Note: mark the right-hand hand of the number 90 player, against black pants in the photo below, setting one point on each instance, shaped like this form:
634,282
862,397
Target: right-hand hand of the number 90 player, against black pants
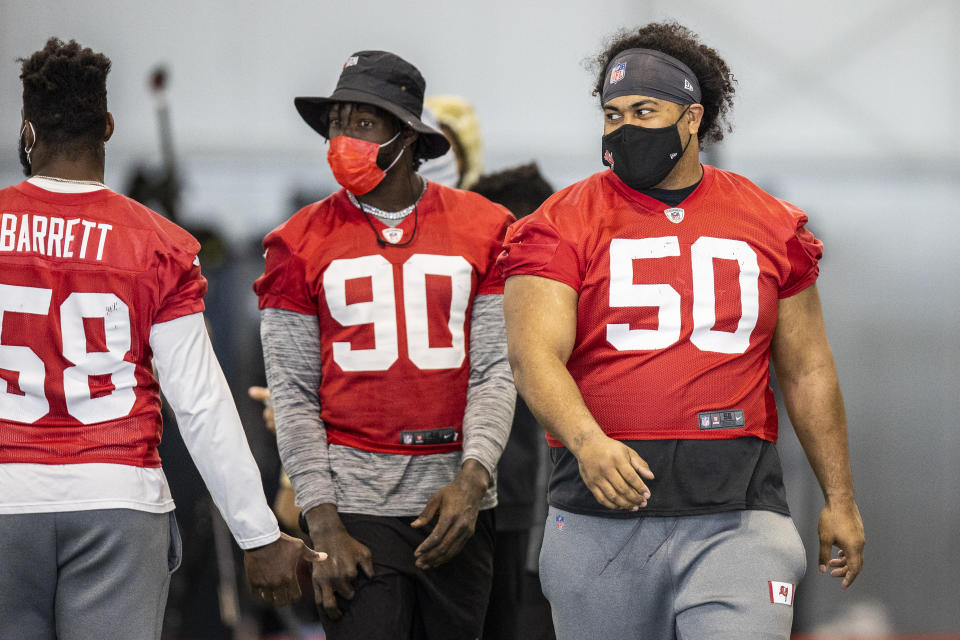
455,509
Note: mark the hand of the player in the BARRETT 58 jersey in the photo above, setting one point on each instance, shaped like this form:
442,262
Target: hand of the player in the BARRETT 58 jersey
272,569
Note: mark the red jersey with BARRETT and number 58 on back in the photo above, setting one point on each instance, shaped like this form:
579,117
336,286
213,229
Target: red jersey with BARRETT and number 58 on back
83,278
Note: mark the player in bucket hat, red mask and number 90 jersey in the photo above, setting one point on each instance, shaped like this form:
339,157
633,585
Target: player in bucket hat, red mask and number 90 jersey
385,348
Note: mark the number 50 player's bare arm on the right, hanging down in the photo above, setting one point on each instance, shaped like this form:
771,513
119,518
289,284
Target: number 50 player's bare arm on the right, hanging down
811,391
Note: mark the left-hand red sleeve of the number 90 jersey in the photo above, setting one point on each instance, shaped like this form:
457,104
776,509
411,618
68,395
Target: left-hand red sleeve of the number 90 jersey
283,284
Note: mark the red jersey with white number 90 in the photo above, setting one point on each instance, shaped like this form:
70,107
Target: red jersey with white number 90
394,318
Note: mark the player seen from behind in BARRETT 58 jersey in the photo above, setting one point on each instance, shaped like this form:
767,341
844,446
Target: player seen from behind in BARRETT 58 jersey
95,291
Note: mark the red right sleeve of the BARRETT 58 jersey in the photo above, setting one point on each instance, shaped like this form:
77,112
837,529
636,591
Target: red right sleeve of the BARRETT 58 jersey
181,284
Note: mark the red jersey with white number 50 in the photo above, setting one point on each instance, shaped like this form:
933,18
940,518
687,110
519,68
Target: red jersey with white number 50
677,305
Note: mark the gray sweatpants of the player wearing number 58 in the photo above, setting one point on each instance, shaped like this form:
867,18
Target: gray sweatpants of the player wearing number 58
80,575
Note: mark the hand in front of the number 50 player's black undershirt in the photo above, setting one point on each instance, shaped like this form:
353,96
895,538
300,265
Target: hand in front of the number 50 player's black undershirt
613,472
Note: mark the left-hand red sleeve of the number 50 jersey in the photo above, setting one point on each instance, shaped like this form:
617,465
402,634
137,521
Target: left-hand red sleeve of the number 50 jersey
534,246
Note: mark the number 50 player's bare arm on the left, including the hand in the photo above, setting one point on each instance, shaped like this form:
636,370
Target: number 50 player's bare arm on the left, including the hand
541,317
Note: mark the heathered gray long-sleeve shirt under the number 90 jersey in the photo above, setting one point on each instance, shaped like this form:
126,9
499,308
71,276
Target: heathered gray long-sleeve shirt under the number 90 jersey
367,482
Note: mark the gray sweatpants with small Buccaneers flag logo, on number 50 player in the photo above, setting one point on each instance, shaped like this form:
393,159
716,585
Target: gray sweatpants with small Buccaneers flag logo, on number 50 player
719,576
